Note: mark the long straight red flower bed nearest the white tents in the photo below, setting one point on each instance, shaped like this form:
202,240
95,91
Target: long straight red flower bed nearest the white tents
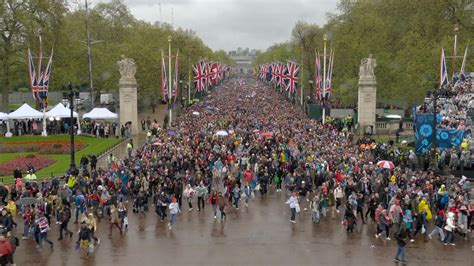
40,146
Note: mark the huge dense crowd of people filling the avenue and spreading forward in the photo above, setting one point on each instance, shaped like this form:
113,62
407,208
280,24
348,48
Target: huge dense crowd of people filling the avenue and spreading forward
237,145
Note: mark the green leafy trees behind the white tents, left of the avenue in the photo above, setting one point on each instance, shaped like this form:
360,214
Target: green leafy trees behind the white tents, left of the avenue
114,32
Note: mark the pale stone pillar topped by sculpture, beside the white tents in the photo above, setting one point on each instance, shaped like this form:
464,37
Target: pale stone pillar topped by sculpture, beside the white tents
128,95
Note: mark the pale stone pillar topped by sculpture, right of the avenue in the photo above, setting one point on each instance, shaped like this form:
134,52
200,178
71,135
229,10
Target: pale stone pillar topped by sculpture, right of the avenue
367,96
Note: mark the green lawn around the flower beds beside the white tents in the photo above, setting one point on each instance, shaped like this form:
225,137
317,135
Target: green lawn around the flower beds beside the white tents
94,146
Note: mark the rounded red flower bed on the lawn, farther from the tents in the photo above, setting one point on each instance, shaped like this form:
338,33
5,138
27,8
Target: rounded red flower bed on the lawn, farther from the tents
37,161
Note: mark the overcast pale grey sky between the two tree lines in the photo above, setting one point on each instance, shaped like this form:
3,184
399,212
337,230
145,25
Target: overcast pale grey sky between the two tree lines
228,24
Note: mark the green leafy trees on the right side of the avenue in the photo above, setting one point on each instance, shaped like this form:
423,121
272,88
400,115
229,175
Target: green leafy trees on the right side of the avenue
404,36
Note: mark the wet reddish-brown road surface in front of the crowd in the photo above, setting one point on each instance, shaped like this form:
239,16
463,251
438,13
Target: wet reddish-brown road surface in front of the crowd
258,235
